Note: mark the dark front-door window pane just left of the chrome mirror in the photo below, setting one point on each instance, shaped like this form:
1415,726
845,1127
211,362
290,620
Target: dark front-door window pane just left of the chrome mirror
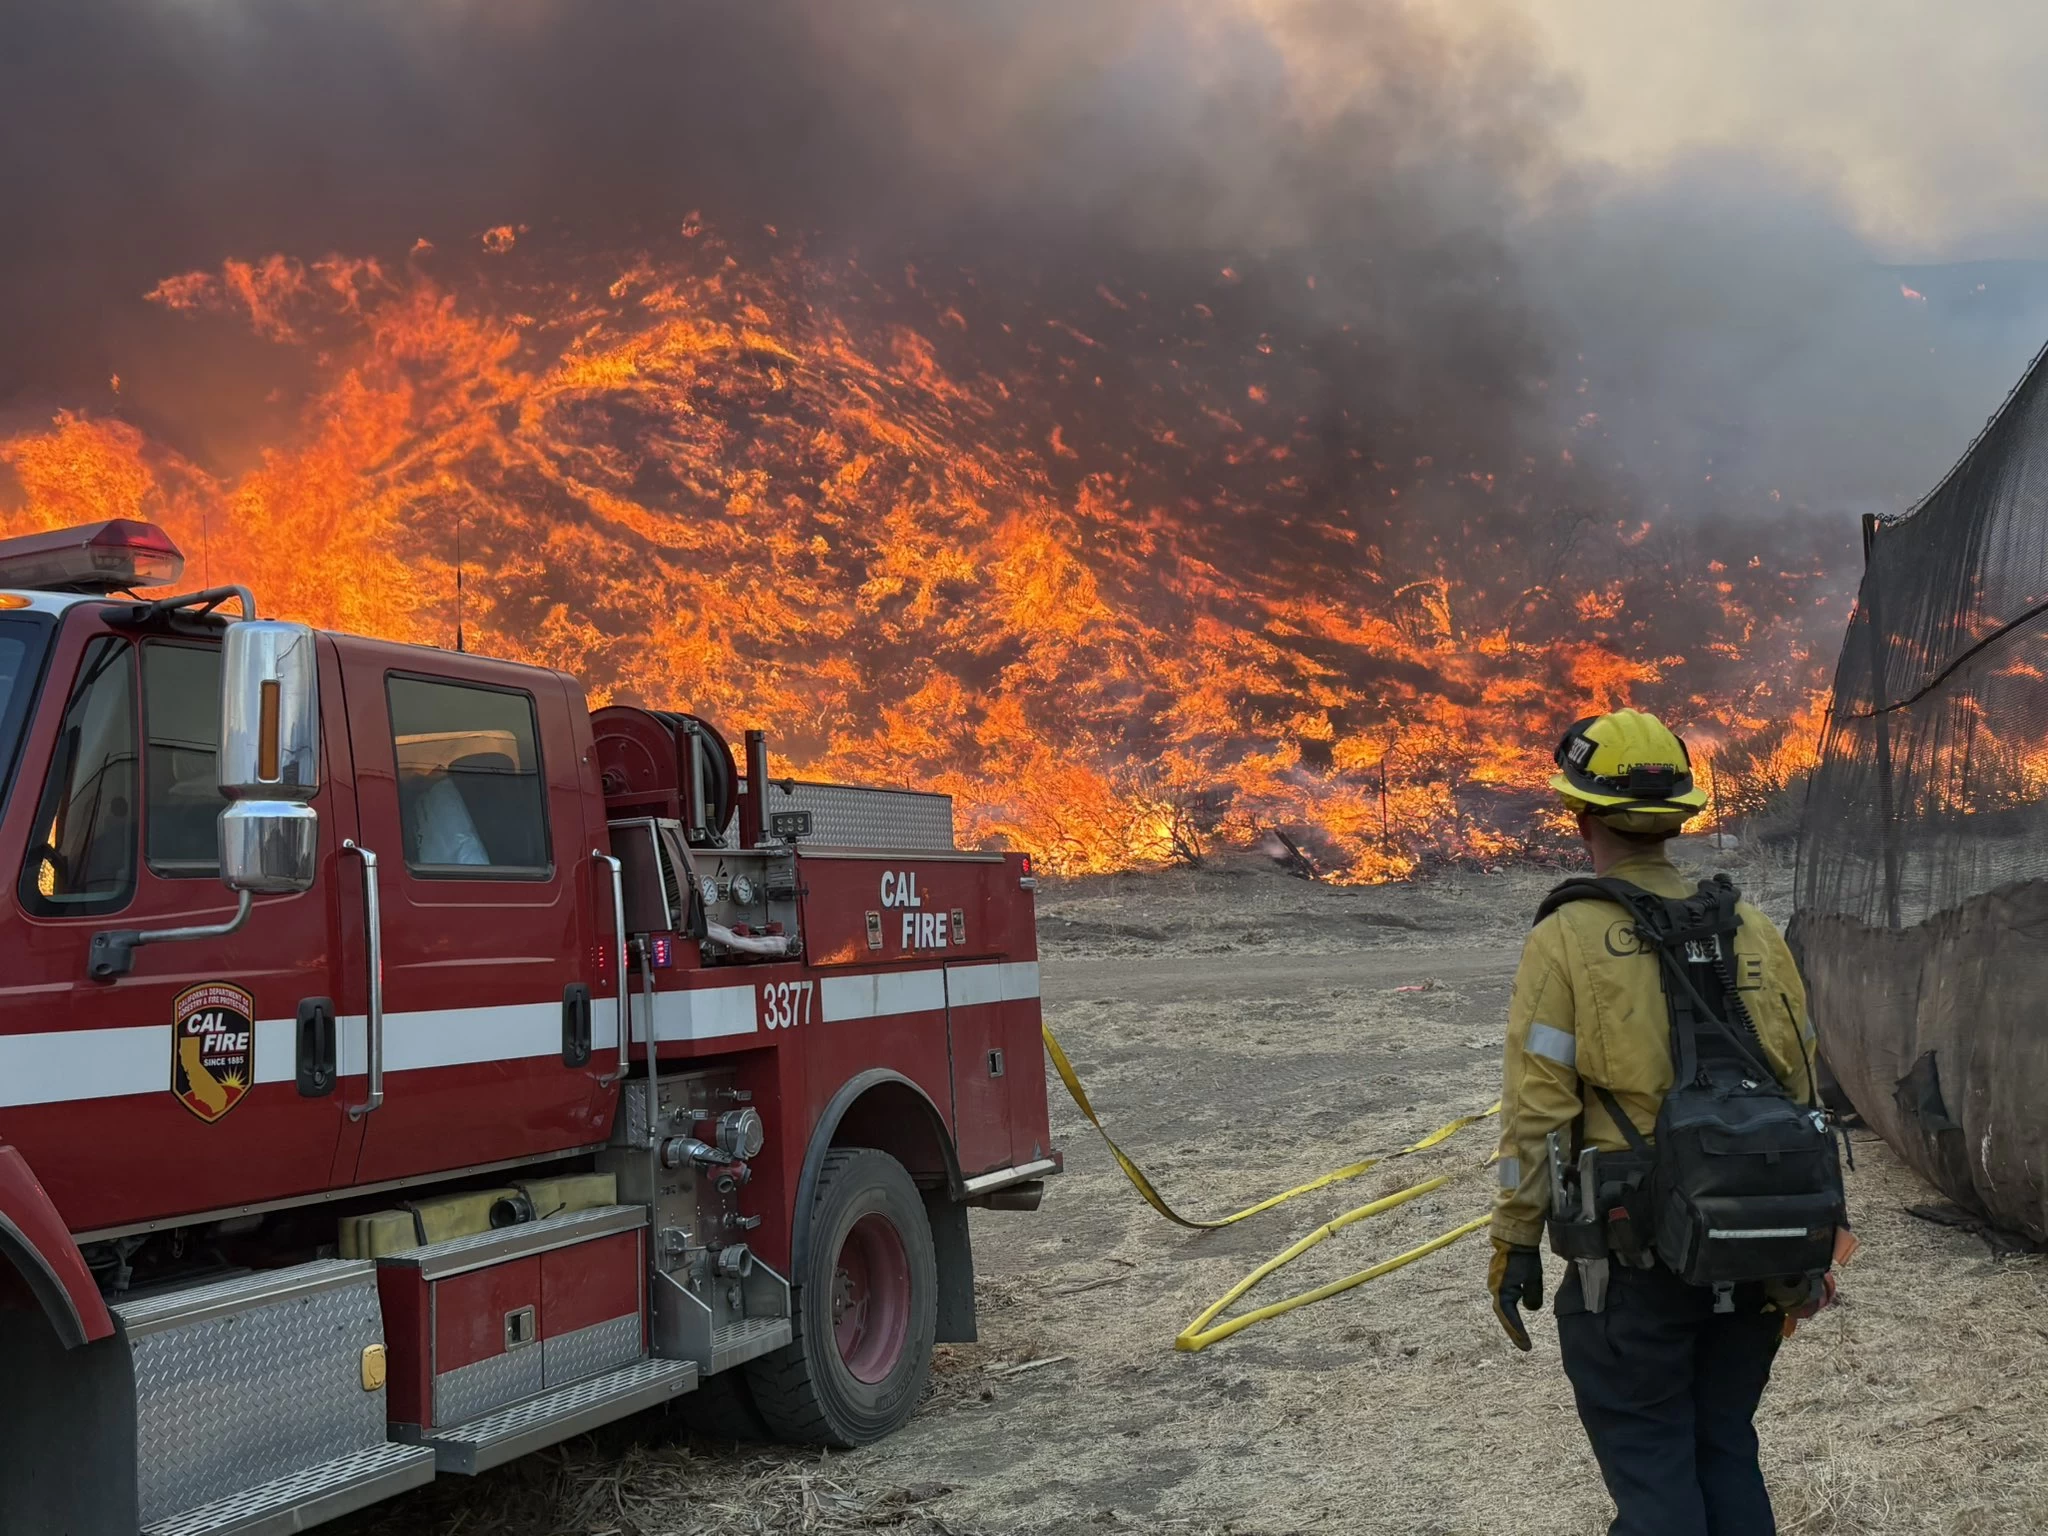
181,716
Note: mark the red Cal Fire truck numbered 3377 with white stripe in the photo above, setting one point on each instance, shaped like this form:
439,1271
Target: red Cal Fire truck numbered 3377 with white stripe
536,1068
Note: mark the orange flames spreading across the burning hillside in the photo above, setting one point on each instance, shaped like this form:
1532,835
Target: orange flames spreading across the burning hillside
925,542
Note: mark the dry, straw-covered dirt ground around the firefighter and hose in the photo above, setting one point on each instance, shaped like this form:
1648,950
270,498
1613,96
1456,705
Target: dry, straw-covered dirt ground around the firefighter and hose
1242,1031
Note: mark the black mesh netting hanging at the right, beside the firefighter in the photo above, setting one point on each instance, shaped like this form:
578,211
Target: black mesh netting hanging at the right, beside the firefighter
1924,863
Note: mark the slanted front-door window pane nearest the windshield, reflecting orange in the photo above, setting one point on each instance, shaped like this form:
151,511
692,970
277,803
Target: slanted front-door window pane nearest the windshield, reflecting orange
83,843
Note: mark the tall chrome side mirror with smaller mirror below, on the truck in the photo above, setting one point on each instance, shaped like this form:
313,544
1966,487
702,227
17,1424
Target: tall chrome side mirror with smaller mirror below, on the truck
269,759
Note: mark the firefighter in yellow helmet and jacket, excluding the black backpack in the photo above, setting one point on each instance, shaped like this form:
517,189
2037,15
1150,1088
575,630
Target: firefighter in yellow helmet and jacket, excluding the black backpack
1666,1385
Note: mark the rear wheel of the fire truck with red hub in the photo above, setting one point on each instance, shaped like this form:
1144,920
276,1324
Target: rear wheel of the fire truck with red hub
863,1314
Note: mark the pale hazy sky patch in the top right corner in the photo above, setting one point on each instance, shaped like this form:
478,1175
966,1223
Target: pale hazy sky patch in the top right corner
1924,120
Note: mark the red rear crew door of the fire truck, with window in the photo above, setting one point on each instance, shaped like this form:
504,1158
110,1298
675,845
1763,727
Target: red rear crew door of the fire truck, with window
472,794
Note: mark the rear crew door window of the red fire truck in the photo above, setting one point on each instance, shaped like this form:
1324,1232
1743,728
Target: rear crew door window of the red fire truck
470,790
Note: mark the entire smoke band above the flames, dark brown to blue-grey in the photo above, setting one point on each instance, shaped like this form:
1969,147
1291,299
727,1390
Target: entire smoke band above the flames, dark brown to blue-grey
1723,321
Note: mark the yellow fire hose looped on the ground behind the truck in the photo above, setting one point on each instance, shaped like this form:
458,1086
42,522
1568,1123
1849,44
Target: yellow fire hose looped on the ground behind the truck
1199,1334
